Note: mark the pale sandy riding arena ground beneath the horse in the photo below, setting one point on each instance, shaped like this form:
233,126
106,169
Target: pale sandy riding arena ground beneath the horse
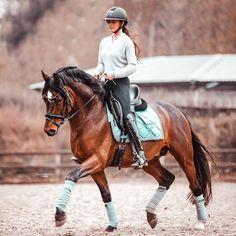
29,210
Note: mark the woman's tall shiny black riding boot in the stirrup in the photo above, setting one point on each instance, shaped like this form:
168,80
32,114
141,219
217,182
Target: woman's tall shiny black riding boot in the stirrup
132,131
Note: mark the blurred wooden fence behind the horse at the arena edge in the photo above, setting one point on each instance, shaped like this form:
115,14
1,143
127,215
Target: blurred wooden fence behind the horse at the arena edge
50,166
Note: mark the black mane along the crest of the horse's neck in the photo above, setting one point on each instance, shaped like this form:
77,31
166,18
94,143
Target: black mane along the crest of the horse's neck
64,74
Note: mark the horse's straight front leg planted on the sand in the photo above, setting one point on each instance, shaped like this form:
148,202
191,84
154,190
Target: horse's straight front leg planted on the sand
101,181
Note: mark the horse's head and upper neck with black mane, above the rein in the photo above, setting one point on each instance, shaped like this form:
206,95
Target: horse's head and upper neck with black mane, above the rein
66,93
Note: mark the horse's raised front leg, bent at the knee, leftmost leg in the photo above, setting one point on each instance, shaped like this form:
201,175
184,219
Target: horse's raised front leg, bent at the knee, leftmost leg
88,167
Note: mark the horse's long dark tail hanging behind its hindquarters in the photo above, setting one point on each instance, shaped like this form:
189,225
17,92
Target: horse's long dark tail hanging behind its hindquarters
202,168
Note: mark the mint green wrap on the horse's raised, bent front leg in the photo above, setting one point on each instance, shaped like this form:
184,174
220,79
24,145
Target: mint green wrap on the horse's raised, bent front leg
65,196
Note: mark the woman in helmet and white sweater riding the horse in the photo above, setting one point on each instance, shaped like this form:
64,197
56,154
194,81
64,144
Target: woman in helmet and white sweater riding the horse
117,59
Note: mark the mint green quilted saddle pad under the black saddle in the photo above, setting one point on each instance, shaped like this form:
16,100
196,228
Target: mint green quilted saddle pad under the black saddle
148,124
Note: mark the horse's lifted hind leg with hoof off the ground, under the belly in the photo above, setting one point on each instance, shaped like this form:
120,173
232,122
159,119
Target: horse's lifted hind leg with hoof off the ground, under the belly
165,179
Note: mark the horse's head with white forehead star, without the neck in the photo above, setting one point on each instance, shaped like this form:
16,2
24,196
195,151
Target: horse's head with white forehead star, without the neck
59,103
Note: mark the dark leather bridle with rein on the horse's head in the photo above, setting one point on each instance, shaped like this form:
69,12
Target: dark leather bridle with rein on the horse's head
64,117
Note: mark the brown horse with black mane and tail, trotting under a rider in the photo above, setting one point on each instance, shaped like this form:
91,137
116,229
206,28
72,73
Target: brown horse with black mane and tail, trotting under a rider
72,94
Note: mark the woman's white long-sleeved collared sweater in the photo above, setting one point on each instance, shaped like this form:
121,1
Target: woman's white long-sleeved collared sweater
117,56
